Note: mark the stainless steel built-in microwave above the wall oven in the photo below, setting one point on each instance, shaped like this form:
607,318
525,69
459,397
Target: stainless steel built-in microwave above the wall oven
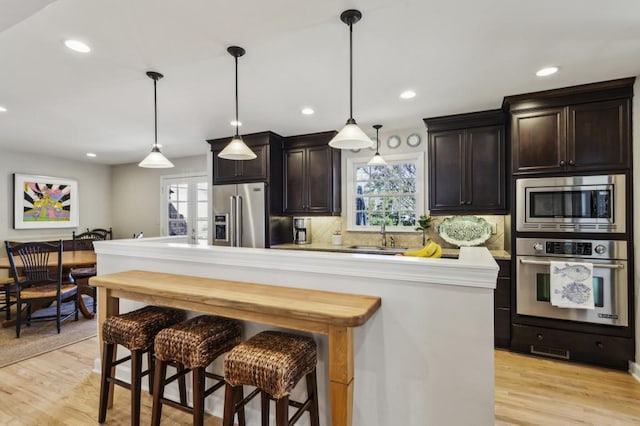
571,204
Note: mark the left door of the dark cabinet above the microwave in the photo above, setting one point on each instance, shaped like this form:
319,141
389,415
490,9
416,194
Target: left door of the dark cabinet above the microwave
538,140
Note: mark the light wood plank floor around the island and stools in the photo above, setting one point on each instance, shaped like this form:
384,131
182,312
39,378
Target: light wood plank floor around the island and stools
59,388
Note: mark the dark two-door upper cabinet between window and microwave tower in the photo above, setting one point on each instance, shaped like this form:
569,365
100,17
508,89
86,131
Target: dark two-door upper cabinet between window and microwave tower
466,161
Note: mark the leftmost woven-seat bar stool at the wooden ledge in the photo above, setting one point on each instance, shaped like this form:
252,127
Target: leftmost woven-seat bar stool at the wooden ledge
135,331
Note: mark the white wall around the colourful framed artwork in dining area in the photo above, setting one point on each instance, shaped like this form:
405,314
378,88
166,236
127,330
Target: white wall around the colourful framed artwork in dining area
94,189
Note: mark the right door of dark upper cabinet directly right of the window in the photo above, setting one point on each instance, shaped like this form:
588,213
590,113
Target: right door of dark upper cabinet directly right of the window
485,172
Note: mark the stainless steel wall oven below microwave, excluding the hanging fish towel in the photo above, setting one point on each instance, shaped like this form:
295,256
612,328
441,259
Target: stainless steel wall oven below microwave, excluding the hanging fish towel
610,289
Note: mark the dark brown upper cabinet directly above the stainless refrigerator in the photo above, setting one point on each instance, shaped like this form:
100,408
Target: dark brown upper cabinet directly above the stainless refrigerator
266,167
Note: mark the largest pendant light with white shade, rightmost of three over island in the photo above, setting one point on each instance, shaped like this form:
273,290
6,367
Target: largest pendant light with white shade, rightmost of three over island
351,136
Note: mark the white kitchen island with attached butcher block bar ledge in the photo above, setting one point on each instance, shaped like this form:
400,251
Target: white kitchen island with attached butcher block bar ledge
400,340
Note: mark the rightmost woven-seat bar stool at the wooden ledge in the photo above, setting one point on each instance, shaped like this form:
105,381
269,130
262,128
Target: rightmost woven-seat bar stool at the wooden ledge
273,362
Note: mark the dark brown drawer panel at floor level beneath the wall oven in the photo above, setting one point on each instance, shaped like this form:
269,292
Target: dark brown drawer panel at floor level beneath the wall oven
590,348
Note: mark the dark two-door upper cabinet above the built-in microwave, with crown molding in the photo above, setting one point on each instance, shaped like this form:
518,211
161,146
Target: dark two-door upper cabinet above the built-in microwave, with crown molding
575,129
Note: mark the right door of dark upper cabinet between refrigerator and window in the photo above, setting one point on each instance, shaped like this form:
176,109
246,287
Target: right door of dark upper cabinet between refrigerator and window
319,179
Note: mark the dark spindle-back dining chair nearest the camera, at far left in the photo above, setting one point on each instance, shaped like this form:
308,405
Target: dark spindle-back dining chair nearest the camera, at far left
40,283
